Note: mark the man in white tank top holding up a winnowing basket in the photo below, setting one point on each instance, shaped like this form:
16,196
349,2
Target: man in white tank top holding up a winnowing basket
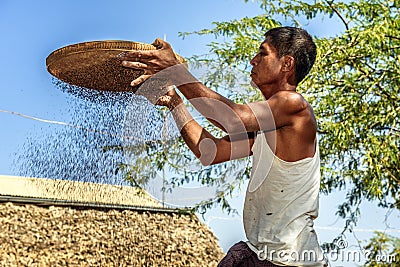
279,132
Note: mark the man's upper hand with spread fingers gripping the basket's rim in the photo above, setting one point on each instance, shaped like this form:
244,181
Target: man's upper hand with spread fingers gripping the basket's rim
151,61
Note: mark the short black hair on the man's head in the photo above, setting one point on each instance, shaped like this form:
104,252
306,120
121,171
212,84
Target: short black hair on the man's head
297,43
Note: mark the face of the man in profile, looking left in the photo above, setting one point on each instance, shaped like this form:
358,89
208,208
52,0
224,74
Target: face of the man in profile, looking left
266,65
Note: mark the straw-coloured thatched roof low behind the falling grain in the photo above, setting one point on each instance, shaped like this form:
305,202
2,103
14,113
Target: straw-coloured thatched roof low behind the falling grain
44,233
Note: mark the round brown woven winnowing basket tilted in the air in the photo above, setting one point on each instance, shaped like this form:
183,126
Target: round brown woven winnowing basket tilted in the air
96,65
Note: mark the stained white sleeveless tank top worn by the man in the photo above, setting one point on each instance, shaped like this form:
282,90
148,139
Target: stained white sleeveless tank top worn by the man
280,206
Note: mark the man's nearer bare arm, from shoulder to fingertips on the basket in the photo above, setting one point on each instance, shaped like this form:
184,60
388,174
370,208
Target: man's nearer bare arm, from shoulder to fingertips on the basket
221,111
